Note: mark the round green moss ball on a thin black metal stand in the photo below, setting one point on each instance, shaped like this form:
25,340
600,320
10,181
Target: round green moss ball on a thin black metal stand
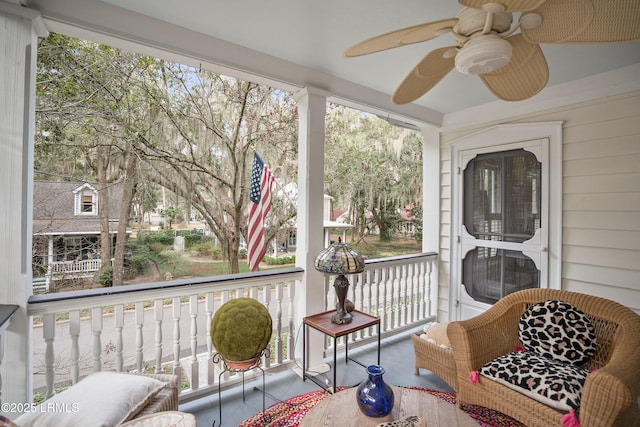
241,329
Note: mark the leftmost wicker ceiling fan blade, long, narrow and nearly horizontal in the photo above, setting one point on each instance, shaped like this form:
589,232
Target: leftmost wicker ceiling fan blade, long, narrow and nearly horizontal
405,36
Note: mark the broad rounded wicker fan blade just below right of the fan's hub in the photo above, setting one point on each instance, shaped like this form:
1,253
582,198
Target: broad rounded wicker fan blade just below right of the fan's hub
525,75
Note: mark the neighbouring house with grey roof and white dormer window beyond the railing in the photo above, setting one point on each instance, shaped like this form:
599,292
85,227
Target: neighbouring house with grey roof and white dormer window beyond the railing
66,230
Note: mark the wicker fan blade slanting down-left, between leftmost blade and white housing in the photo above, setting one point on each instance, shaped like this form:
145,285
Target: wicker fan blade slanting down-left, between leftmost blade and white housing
424,76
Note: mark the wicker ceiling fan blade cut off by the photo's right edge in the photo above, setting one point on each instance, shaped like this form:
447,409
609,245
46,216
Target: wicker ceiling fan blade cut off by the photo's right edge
586,21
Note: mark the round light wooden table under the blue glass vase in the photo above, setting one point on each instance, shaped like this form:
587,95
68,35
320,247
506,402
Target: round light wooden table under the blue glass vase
341,409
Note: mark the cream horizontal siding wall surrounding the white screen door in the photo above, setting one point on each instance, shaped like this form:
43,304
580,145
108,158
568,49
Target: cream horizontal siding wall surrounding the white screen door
601,198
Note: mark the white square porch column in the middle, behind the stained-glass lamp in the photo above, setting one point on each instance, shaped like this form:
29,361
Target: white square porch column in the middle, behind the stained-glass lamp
310,295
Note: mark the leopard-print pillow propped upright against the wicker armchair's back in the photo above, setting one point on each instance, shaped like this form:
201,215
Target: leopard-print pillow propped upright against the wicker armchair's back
558,330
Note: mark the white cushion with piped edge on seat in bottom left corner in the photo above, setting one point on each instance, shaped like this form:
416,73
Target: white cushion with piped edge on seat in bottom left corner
102,399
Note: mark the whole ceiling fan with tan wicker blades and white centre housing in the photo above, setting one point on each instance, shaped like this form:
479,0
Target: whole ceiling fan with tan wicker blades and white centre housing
509,62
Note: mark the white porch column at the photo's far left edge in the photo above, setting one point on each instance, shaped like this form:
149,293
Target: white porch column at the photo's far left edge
19,29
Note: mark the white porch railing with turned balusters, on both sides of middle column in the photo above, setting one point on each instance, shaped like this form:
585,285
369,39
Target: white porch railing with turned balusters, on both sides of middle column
126,328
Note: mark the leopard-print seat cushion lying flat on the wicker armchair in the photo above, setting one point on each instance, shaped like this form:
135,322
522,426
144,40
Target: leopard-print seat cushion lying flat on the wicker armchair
554,383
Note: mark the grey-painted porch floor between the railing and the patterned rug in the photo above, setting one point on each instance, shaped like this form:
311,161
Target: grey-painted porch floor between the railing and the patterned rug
396,356
